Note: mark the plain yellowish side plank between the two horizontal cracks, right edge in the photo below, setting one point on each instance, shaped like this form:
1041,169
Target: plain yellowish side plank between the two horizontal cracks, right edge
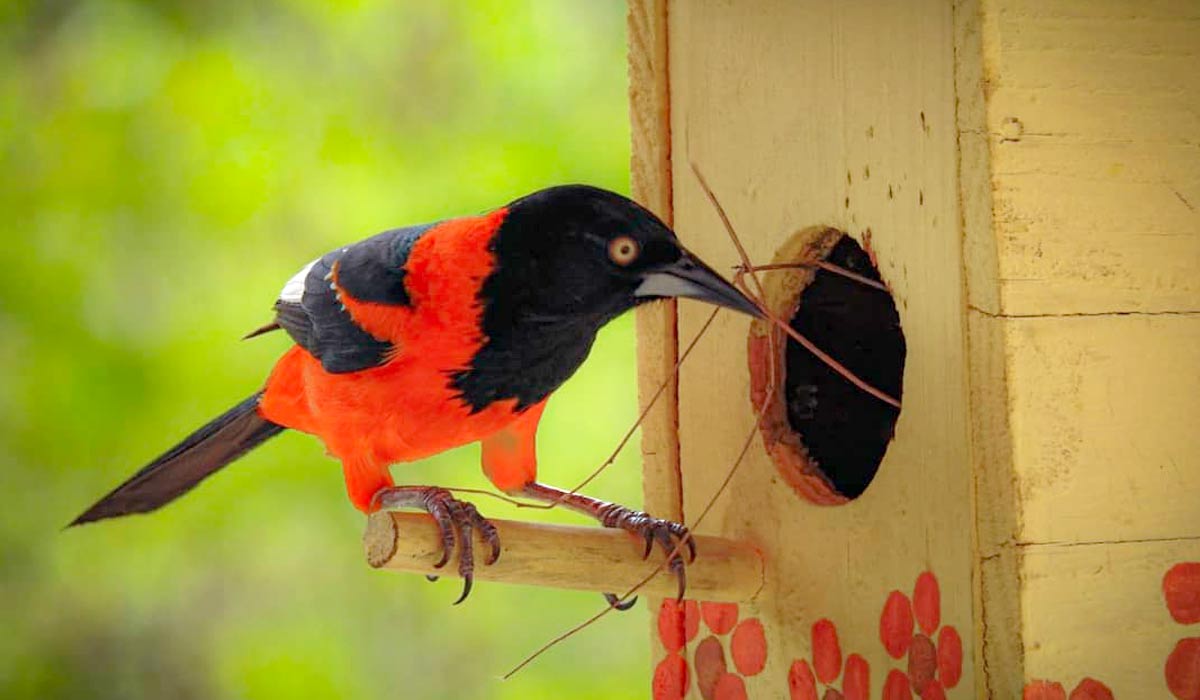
1105,433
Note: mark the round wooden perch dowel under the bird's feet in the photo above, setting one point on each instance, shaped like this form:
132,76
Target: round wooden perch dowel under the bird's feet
586,559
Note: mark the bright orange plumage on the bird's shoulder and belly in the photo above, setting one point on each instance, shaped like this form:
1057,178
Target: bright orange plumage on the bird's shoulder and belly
404,410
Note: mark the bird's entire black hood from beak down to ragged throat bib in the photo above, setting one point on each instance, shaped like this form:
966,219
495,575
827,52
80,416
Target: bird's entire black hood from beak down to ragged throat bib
569,260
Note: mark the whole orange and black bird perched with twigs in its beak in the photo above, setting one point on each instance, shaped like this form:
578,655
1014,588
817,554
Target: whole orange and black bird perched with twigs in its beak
428,338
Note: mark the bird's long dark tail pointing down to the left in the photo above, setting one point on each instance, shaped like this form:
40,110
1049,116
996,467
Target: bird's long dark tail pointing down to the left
224,440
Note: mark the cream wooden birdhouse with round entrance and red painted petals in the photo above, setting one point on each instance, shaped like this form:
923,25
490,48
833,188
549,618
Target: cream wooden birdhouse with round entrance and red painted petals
1022,181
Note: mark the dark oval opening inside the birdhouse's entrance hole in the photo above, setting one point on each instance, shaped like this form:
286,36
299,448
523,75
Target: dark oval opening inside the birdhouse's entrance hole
844,429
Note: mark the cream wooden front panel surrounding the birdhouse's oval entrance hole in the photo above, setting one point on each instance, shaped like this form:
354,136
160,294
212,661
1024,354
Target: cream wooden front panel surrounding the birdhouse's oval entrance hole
830,113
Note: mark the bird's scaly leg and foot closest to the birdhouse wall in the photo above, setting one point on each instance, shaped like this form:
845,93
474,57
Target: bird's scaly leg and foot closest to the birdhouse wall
652,530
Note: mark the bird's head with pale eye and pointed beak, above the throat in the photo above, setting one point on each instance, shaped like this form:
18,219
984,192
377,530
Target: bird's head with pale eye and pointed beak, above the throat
587,254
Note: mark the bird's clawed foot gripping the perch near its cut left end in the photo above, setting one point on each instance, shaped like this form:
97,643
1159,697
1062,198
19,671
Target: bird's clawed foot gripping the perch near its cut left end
457,522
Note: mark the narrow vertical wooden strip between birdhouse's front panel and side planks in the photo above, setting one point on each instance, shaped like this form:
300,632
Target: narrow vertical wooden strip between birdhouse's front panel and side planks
999,656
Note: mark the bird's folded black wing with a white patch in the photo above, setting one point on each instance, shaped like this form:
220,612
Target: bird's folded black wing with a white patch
310,309
